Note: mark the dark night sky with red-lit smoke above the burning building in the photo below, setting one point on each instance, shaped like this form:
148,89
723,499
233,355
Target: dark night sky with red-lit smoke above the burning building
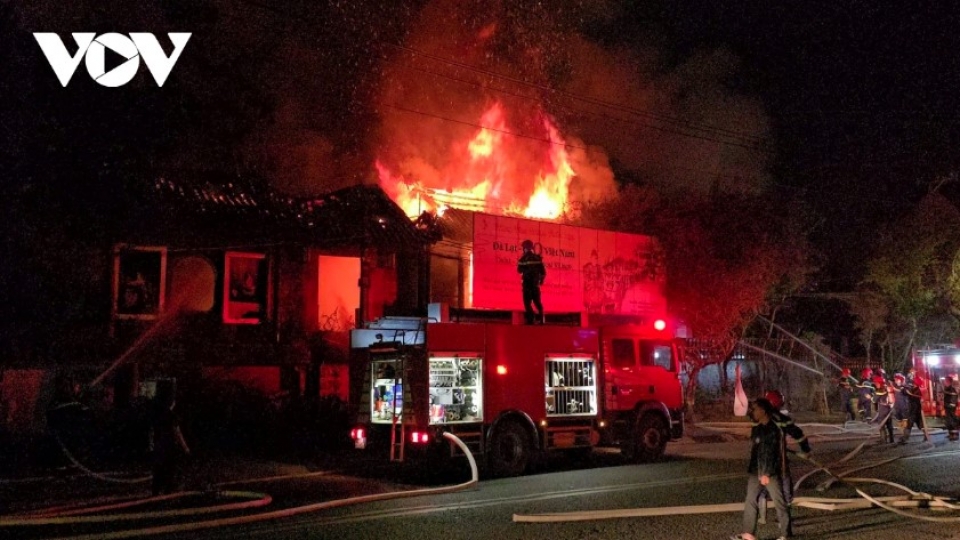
849,106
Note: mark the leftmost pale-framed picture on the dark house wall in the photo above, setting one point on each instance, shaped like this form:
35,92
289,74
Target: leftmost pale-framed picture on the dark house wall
139,281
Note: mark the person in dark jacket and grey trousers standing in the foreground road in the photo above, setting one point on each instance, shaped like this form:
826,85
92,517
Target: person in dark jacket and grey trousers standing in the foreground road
768,466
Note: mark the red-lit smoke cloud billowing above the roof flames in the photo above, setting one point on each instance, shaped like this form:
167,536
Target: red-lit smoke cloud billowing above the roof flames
407,87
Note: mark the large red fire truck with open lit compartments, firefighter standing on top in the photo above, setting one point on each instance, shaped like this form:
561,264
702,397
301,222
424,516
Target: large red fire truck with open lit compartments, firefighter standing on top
512,392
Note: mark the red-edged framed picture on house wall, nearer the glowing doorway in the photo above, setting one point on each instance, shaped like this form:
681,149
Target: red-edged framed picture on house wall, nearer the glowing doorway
244,287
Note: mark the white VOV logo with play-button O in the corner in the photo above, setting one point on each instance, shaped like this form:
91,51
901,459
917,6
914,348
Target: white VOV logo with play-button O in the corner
93,49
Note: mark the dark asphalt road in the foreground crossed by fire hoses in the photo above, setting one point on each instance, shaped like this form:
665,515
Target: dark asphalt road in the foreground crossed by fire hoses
692,475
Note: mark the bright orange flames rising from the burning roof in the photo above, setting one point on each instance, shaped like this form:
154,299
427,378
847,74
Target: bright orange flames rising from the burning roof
495,171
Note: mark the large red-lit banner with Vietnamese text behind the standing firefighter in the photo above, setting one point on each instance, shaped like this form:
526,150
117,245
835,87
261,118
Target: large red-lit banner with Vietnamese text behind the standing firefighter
587,269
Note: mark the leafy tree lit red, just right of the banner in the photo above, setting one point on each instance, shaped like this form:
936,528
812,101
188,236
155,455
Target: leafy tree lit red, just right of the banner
729,257
